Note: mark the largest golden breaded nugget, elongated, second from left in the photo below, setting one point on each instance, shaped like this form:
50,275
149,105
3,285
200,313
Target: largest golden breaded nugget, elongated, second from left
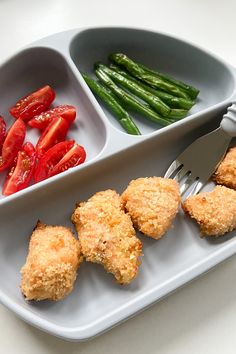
107,235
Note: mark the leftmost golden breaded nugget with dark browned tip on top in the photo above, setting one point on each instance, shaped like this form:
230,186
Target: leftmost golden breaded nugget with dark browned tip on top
51,265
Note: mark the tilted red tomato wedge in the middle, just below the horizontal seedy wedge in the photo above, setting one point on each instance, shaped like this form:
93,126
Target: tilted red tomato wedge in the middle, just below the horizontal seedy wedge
54,133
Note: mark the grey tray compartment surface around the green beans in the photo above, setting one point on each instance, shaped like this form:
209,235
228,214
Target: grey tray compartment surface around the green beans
181,60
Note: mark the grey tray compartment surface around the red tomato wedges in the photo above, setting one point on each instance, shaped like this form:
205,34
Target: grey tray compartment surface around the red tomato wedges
36,67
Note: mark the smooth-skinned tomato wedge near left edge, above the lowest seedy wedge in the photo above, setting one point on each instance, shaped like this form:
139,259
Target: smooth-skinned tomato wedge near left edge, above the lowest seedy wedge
12,143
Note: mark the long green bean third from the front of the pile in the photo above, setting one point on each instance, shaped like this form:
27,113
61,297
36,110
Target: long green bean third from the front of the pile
158,105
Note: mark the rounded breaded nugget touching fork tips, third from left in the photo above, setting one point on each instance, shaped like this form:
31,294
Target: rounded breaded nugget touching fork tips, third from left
152,203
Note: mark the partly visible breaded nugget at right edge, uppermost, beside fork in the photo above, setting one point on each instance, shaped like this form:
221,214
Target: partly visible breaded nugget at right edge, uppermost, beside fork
226,172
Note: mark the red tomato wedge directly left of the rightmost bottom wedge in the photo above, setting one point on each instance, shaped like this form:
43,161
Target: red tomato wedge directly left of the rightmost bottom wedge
50,159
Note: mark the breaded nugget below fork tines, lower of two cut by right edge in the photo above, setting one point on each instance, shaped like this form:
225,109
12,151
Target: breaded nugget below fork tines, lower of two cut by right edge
214,211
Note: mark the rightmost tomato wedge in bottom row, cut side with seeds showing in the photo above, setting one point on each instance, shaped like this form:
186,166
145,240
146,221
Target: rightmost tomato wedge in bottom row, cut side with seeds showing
74,157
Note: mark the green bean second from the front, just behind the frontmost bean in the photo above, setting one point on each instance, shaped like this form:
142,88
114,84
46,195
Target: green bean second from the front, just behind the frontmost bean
130,101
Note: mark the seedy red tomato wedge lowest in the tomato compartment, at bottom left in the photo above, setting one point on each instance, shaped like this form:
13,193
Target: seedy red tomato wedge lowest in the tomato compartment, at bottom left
20,174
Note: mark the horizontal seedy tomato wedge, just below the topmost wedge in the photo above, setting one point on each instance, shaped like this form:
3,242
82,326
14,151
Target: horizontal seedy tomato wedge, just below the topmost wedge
42,120
